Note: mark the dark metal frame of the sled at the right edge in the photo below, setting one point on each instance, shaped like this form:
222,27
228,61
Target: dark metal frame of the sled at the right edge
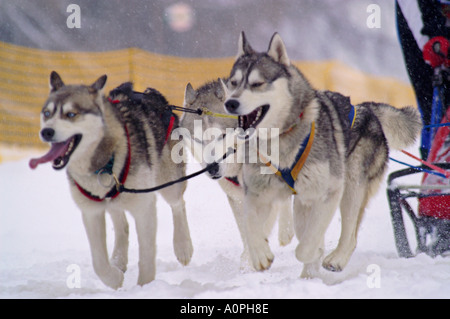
425,227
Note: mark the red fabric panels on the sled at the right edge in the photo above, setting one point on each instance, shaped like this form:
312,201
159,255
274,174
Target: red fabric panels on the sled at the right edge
437,206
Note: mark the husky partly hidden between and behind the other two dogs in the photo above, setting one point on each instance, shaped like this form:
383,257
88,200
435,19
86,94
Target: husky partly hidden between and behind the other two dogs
212,96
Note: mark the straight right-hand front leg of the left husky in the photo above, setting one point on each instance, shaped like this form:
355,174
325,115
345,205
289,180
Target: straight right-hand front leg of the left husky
144,214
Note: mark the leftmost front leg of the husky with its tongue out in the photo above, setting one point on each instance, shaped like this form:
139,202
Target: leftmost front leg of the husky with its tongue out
94,223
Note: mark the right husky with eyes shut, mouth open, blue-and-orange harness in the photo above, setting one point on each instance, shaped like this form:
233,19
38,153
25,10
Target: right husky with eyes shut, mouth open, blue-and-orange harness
331,154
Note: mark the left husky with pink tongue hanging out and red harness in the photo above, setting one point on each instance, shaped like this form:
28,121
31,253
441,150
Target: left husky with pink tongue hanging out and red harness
120,137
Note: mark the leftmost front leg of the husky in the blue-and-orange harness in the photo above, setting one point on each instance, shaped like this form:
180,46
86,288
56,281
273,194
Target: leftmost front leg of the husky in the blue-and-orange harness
256,213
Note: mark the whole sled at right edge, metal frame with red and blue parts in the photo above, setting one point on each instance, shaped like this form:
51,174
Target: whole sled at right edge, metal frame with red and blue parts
431,218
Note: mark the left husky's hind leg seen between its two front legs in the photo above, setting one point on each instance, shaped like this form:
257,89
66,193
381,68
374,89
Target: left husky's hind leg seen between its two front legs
119,256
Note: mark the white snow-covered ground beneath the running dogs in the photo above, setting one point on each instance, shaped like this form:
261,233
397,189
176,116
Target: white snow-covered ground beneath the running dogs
43,245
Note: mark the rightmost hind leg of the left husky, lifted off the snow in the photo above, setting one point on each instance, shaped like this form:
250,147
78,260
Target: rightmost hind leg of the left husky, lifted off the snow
182,242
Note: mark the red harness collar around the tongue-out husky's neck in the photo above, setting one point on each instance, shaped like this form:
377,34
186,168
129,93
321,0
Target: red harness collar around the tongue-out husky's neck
113,193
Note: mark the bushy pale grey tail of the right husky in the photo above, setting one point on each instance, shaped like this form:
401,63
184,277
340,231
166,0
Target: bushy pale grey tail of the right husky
401,126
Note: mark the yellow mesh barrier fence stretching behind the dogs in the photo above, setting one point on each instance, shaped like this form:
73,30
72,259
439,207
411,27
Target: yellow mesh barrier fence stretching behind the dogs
24,75
